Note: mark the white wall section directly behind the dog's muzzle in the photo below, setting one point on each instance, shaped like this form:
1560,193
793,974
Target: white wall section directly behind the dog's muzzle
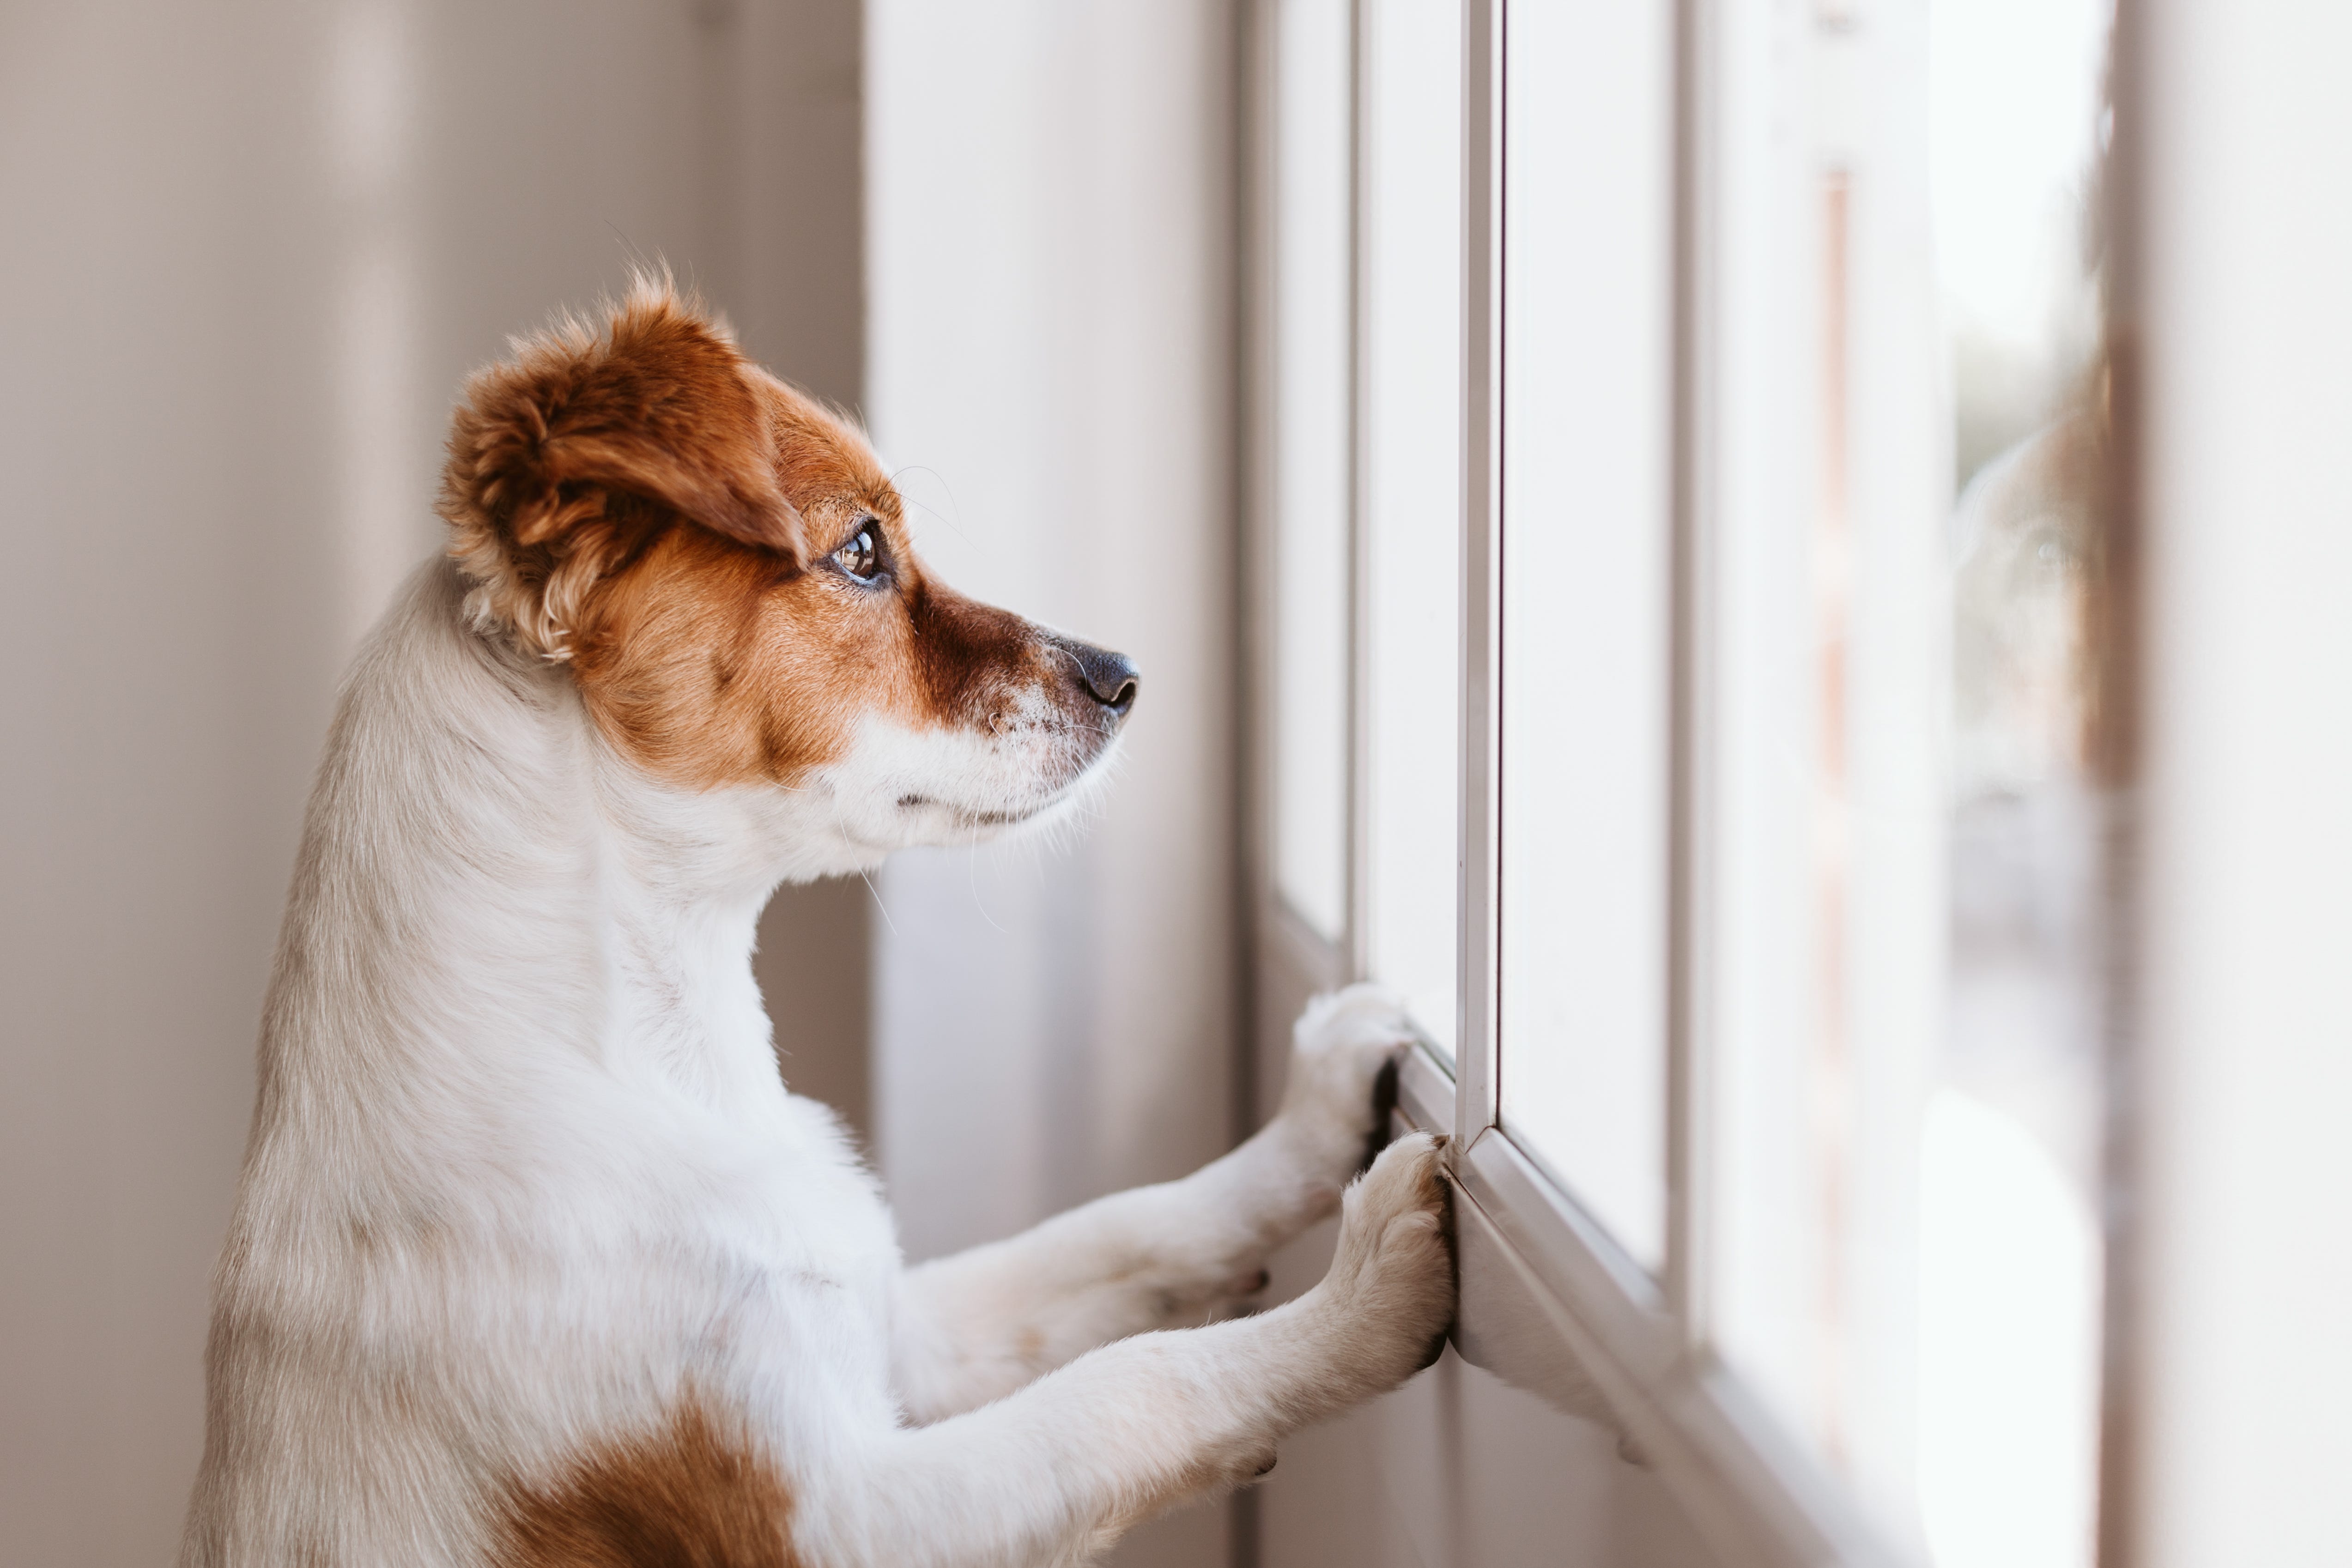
1053,373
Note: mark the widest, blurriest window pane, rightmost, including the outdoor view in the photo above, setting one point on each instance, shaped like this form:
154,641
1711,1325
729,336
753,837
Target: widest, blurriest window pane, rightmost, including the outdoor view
1904,805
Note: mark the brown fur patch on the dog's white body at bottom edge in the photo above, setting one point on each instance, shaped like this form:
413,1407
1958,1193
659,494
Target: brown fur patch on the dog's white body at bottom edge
683,1496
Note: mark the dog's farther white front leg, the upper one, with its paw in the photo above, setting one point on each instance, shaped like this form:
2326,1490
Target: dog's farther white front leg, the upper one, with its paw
987,1322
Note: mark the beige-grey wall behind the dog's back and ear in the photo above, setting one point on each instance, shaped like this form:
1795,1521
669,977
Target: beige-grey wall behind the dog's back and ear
250,253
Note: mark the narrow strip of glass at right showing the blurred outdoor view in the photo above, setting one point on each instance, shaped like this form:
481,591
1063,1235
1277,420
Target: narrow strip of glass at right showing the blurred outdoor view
2010,1158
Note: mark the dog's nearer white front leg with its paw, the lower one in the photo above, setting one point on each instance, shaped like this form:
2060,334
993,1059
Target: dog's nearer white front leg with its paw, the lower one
1057,1470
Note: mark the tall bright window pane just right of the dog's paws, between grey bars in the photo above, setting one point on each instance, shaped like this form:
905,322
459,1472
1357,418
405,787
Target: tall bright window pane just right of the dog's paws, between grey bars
1586,603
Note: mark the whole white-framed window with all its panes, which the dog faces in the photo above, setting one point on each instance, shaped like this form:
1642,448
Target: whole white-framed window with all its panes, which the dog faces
1702,408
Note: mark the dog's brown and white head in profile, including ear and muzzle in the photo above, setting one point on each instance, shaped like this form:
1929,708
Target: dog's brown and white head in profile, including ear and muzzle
728,572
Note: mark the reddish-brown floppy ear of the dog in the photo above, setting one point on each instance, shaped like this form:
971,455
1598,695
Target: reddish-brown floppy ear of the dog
582,441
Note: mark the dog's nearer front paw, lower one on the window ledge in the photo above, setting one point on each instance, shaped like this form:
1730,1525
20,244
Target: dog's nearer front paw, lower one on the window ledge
1389,1296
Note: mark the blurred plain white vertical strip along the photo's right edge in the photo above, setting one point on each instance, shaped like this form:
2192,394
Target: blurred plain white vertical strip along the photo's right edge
2245,1369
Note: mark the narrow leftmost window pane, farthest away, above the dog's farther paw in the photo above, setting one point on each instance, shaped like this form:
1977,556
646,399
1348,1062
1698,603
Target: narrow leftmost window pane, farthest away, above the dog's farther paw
1314,488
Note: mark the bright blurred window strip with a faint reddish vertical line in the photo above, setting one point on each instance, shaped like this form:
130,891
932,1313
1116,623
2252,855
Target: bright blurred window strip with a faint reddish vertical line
1831,655
